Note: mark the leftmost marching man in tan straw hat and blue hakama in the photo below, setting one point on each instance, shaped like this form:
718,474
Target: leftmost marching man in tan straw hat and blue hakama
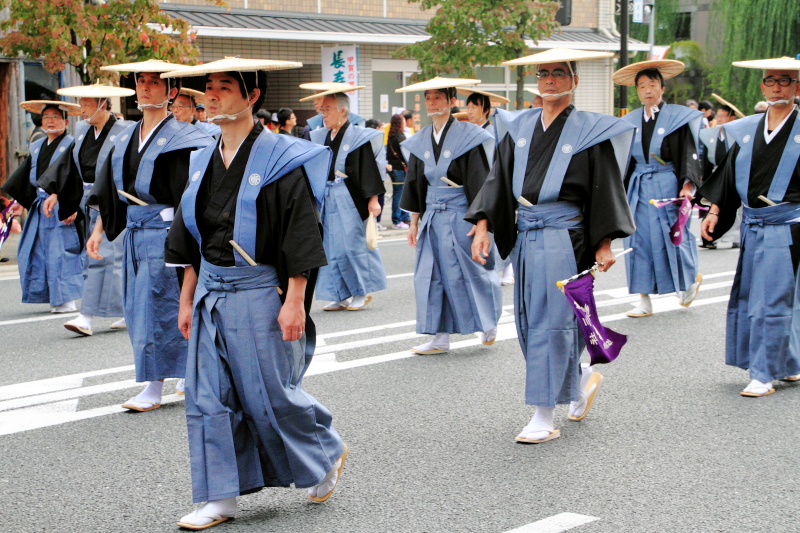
49,256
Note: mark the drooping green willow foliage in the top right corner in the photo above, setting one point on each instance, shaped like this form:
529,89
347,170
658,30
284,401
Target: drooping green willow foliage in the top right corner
752,30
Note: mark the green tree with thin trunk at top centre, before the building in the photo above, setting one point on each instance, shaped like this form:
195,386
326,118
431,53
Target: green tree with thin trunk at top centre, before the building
469,33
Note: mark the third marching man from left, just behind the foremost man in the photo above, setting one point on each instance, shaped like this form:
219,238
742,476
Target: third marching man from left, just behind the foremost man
138,187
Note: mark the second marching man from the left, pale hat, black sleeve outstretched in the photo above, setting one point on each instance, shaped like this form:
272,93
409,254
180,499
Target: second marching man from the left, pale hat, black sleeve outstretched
74,176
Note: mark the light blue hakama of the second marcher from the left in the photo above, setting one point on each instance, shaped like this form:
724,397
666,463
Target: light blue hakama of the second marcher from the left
102,285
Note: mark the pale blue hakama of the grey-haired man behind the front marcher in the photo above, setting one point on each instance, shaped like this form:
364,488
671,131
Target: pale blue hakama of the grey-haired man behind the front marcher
352,269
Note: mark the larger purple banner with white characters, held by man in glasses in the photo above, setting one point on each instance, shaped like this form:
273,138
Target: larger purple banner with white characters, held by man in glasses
602,343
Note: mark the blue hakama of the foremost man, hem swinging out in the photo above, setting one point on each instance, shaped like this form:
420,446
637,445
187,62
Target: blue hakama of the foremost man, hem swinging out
250,423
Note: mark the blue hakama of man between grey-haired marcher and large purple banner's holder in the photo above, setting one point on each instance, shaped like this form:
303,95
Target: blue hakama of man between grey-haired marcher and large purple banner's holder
454,293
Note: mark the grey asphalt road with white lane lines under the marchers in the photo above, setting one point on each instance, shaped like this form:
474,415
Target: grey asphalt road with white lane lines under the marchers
669,445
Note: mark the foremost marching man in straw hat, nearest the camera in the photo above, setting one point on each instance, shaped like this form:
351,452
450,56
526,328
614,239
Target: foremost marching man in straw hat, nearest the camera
248,225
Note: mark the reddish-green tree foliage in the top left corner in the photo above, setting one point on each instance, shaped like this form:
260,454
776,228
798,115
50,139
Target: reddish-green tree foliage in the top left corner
92,33
